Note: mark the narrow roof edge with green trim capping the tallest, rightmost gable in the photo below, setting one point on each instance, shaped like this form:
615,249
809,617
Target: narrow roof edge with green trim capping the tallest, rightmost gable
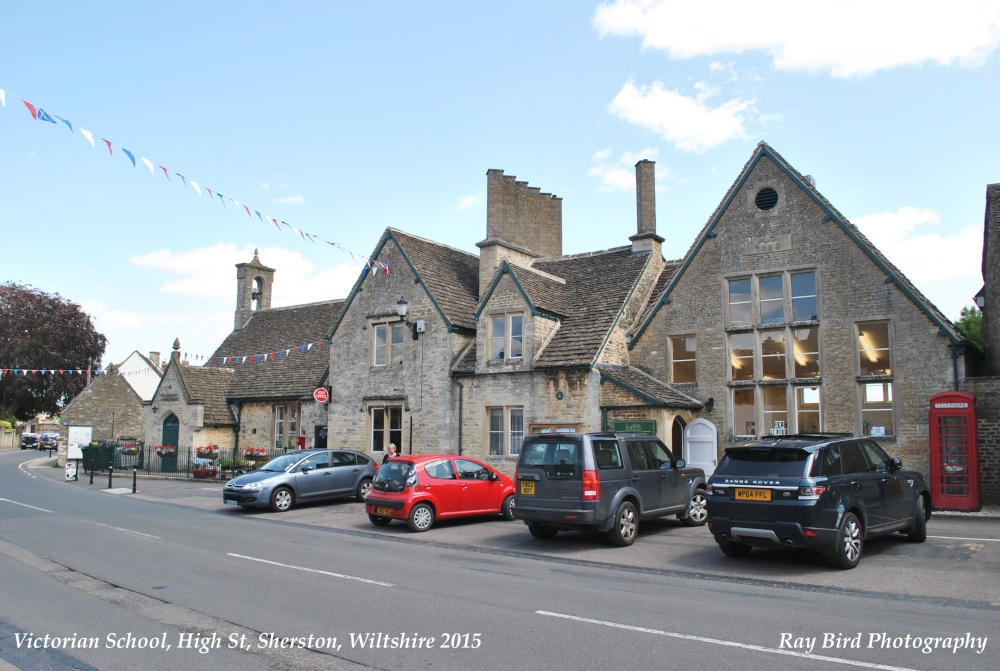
893,274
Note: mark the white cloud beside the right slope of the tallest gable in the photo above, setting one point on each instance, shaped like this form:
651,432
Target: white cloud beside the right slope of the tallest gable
924,255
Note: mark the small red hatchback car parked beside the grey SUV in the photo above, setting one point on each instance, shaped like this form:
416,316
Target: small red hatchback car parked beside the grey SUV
423,488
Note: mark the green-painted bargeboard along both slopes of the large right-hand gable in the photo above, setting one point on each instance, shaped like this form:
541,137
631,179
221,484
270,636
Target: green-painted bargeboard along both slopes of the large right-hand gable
709,233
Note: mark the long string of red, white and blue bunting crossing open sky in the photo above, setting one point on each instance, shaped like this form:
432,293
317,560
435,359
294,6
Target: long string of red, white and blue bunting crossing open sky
40,114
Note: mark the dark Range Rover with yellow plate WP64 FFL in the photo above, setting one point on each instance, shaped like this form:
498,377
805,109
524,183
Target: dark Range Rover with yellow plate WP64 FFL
827,493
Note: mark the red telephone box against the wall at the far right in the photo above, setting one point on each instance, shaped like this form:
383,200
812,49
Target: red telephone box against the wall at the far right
954,451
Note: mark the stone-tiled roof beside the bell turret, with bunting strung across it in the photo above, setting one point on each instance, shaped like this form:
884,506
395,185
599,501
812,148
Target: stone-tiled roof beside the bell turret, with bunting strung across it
277,368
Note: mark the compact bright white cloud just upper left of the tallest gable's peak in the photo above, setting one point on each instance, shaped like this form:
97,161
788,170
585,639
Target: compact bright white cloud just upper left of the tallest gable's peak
687,122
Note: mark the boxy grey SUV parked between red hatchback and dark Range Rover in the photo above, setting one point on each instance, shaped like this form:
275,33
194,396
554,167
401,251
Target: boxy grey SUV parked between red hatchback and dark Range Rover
604,482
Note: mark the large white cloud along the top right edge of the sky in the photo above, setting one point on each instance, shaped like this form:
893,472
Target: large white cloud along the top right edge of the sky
847,38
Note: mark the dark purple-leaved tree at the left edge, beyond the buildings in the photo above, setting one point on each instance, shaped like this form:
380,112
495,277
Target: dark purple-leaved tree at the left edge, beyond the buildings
40,331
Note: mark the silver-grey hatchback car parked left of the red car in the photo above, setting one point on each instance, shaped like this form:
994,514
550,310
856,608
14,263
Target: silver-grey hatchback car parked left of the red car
300,476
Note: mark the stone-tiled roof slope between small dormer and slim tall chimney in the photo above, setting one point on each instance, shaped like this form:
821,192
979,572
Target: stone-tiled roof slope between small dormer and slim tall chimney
598,286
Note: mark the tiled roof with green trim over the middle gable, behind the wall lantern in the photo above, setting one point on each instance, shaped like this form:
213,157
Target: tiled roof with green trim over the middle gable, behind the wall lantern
449,276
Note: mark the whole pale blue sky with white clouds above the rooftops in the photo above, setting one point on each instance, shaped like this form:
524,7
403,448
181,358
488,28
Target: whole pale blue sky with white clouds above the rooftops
344,118
